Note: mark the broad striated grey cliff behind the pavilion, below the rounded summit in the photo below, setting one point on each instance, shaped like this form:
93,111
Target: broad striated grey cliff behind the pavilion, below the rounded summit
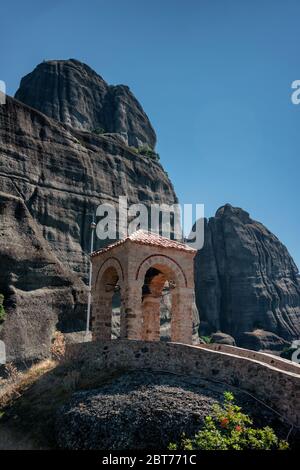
63,175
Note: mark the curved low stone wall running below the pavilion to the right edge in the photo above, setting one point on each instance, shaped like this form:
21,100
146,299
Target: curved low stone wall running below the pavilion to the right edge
276,388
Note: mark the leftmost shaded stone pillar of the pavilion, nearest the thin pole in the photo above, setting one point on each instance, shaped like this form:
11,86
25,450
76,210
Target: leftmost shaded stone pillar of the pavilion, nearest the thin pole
102,316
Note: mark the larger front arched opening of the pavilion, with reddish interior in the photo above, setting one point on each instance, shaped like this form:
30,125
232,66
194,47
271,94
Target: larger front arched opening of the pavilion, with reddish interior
159,282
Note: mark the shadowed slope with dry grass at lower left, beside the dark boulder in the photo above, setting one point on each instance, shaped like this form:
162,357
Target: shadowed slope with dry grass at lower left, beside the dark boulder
28,405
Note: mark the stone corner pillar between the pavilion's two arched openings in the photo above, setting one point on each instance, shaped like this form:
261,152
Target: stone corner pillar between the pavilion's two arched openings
131,311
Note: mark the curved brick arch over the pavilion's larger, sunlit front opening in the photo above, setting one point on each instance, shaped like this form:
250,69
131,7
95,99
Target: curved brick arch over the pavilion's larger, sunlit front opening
164,260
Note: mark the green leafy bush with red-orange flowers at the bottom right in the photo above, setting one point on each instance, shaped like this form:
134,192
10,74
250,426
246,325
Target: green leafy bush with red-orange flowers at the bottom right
228,428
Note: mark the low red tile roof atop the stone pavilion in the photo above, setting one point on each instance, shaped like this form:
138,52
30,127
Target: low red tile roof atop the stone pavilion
147,238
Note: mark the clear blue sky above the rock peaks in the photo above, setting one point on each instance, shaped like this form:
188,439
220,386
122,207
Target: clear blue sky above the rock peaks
214,76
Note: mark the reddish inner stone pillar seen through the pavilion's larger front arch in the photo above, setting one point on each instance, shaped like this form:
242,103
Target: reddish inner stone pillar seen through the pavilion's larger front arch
151,318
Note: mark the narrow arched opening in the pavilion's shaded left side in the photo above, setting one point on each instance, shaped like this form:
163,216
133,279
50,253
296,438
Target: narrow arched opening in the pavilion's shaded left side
107,314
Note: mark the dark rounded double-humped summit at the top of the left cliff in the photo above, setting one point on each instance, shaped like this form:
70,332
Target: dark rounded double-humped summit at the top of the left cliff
72,93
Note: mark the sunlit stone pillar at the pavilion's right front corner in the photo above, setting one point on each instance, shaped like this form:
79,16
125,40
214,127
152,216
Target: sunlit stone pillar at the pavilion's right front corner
182,315
